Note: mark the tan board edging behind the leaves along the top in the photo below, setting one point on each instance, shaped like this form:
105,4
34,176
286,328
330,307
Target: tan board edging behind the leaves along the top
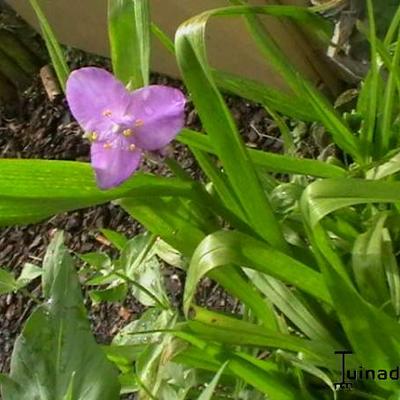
82,24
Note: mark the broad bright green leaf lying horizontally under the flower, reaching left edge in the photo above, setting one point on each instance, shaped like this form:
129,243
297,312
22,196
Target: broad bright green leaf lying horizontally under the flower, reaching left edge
32,190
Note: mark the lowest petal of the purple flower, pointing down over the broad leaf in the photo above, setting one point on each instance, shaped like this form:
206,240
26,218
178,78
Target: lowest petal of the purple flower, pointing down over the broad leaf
113,165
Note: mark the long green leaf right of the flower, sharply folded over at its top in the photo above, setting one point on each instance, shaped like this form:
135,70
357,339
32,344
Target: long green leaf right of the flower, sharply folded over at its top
222,131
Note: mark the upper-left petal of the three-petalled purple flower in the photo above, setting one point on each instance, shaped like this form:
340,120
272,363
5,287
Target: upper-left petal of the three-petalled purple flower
96,98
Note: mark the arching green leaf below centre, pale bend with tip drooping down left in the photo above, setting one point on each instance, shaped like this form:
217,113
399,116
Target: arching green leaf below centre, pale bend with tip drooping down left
224,247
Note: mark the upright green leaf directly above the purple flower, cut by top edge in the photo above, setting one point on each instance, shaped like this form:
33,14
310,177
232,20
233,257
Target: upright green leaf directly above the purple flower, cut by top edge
129,33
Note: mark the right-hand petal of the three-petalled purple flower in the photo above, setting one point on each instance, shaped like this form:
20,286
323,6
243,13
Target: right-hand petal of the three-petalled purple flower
159,113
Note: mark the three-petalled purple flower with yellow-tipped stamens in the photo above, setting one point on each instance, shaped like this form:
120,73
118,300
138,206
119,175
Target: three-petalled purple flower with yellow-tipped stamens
122,124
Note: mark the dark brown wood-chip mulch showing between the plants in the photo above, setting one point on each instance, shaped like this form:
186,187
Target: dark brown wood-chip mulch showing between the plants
44,129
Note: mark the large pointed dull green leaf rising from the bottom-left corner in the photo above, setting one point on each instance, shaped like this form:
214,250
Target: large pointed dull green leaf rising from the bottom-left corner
56,346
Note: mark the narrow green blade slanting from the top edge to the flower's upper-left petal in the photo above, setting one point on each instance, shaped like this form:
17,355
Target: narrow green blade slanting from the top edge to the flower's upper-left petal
54,49
